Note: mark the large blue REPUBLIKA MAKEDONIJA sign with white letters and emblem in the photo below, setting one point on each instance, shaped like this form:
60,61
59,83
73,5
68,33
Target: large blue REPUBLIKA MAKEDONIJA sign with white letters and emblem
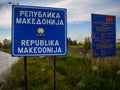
39,31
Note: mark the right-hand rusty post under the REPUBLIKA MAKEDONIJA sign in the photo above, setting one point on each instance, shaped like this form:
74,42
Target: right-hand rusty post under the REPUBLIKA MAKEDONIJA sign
54,72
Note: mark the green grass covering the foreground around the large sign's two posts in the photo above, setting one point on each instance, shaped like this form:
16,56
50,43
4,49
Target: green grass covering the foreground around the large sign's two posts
72,73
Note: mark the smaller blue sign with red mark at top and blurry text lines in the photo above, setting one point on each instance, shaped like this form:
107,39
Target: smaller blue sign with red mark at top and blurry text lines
103,35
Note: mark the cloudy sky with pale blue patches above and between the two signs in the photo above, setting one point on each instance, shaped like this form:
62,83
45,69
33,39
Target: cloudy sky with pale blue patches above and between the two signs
78,12
